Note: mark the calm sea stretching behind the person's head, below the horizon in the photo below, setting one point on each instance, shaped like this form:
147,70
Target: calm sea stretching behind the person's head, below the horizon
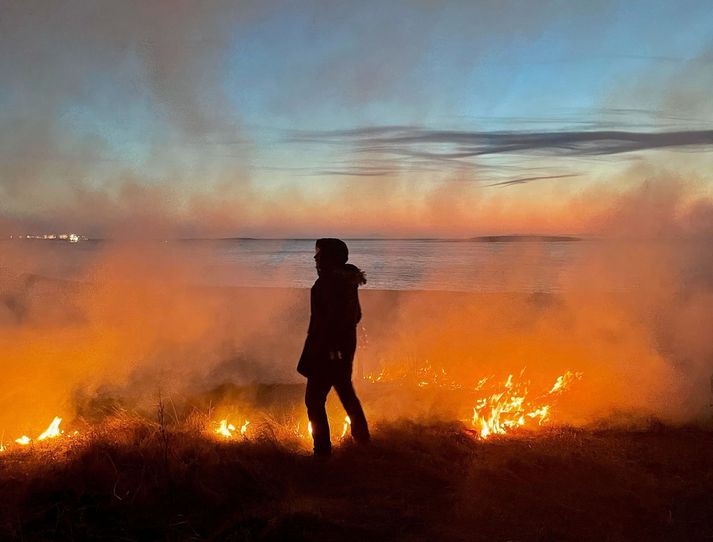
526,266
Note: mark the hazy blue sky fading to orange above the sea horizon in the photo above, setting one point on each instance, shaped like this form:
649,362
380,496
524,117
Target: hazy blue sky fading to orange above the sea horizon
302,119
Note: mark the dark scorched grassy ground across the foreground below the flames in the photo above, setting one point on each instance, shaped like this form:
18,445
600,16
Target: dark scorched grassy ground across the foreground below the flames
135,481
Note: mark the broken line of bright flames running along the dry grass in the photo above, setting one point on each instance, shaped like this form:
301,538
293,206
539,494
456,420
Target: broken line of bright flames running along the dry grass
508,407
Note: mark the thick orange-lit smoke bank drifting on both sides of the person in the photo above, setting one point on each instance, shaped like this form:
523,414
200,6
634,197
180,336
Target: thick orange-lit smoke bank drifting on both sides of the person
633,316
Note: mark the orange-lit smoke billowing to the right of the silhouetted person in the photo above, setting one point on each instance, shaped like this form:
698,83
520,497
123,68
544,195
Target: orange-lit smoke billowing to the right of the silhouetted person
633,315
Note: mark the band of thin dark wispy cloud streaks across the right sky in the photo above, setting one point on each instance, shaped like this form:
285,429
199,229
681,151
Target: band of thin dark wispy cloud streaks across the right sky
485,156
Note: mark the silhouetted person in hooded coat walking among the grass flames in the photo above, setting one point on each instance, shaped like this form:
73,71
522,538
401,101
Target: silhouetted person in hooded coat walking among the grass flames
328,353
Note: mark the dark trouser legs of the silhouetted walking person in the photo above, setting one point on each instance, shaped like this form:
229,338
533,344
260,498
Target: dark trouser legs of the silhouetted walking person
318,387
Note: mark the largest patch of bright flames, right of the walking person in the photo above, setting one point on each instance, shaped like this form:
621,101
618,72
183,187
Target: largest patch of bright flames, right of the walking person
510,408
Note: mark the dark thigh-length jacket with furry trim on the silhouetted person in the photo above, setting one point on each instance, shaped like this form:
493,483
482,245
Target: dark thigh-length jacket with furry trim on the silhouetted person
335,313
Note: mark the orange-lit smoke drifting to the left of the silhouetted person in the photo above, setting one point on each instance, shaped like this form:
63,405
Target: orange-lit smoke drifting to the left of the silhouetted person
138,324
